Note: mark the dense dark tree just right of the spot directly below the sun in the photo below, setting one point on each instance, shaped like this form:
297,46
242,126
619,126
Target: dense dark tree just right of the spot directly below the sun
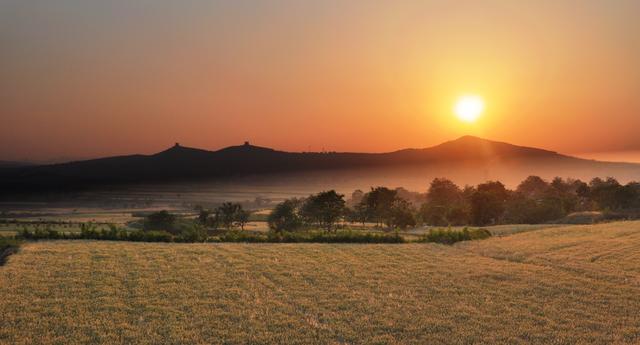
488,203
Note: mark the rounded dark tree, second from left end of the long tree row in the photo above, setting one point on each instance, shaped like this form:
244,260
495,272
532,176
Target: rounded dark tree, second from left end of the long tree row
324,209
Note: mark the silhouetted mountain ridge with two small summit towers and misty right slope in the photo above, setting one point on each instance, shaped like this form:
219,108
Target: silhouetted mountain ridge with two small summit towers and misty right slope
179,163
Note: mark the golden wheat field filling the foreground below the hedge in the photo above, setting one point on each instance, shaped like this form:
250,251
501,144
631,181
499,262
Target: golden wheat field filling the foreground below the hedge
562,285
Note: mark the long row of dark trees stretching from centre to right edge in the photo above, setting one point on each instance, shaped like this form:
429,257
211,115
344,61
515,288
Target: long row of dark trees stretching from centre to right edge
534,200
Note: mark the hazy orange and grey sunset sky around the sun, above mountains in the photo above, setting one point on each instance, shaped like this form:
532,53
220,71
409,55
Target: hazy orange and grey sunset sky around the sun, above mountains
91,78
